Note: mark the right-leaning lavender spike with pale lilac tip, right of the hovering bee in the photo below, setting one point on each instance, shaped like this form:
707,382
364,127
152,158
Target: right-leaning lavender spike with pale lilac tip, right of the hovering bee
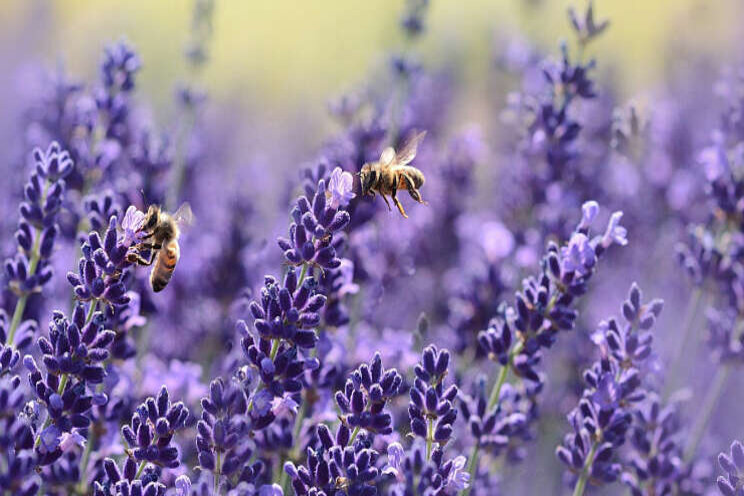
517,338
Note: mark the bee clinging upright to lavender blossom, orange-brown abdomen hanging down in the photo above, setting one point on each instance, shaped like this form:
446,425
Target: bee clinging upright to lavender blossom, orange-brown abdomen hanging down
161,231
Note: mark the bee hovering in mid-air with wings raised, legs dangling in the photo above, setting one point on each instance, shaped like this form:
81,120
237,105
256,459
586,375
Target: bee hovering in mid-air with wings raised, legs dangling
392,173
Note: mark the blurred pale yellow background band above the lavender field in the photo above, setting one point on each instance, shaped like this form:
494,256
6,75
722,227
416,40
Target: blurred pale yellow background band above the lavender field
286,52
